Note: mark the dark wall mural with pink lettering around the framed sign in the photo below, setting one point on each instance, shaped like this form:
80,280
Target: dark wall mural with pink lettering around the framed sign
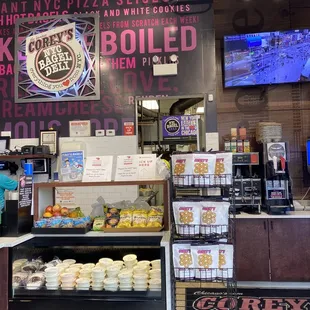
131,33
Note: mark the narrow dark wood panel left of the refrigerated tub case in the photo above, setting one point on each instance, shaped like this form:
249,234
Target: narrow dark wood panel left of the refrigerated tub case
4,268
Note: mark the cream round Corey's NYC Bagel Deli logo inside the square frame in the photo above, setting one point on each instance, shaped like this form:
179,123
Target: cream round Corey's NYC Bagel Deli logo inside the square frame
55,59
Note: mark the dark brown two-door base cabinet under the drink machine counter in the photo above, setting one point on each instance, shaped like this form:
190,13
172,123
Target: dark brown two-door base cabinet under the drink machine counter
273,248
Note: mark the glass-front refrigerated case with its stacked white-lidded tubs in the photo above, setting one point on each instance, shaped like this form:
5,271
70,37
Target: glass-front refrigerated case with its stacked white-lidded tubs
28,282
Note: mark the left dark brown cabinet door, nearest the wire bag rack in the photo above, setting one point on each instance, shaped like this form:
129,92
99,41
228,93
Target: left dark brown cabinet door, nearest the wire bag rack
252,250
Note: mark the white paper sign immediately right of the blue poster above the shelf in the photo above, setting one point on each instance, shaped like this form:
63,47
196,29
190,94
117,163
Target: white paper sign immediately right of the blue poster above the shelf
98,169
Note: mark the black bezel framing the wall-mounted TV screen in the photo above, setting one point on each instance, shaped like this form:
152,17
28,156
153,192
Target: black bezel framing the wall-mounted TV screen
254,85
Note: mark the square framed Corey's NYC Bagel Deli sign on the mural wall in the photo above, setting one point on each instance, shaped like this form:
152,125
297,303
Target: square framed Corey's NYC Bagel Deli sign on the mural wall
57,58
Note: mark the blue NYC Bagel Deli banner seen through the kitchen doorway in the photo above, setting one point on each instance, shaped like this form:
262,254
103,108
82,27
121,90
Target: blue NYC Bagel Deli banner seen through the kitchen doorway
179,126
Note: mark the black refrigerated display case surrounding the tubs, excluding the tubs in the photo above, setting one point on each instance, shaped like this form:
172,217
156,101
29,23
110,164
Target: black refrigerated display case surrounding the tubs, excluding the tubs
88,249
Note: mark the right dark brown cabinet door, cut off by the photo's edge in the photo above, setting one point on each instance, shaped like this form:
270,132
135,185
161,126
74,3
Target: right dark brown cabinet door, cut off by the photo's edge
289,249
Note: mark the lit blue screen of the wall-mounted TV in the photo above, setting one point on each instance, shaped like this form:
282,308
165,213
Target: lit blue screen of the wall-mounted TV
267,58
